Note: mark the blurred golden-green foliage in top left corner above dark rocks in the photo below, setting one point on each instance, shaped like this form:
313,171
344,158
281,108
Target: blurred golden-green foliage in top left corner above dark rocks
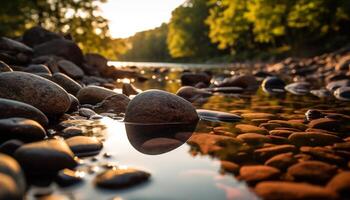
81,19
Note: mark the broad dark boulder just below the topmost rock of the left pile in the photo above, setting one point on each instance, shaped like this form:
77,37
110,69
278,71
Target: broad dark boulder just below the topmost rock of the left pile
62,48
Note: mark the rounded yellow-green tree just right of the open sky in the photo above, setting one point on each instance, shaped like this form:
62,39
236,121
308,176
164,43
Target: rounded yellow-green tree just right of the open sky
188,34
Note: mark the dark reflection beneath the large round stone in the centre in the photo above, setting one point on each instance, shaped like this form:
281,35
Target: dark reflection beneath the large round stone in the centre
155,139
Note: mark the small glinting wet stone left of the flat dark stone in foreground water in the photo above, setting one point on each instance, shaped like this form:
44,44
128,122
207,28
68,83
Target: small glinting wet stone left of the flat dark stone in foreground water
68,177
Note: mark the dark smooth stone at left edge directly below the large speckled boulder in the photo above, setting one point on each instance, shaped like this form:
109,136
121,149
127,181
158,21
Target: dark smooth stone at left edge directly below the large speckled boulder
10,108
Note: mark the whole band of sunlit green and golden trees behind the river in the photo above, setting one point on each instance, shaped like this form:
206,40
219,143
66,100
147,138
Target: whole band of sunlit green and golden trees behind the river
198,31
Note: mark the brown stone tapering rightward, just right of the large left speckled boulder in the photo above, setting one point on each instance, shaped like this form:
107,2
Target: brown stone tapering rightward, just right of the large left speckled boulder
94,94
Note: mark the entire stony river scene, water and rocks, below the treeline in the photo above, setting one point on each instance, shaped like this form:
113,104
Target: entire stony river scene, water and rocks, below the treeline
265,129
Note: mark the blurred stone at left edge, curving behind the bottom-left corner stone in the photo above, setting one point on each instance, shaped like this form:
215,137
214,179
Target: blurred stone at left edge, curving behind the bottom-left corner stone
10,166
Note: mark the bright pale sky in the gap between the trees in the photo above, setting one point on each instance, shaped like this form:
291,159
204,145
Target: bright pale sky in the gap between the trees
126,17
